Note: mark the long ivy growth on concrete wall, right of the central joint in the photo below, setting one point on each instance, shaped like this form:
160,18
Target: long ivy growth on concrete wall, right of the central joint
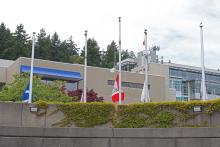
162,114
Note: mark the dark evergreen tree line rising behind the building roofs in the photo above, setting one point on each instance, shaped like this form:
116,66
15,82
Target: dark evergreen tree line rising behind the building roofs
50,47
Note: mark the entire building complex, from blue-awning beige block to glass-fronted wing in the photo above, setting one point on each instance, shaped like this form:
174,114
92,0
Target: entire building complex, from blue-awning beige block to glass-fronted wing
167,81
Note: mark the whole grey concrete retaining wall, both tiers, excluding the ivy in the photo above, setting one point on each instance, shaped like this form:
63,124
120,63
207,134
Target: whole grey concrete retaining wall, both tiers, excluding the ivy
21,128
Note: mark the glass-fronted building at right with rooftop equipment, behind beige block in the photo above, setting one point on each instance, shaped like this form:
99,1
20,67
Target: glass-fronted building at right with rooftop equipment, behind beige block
183,80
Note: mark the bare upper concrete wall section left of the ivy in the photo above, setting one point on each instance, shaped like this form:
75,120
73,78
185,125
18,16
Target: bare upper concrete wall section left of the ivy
19,115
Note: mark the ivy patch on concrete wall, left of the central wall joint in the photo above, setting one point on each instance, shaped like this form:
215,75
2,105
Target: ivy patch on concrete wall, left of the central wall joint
86,114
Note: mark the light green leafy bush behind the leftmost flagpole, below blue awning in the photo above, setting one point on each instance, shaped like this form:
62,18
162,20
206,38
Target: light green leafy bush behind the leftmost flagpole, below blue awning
41,91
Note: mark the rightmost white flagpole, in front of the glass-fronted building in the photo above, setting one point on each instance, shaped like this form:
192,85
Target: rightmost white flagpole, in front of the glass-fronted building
203,86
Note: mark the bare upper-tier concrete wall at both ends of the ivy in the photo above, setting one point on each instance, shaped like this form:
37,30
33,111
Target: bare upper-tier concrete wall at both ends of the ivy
19,115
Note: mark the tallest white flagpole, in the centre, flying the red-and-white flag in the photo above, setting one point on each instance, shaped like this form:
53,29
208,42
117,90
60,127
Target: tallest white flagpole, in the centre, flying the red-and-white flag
119,60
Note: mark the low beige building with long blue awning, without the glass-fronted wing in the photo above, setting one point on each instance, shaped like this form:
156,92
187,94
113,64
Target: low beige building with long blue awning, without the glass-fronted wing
101,80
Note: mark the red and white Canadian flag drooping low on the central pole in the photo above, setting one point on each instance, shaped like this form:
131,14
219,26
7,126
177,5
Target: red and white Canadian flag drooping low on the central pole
115,91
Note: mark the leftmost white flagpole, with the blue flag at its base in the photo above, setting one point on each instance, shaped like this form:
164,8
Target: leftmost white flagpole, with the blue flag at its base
32,68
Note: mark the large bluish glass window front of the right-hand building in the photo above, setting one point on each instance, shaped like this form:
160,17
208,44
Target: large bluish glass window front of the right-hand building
179,76
